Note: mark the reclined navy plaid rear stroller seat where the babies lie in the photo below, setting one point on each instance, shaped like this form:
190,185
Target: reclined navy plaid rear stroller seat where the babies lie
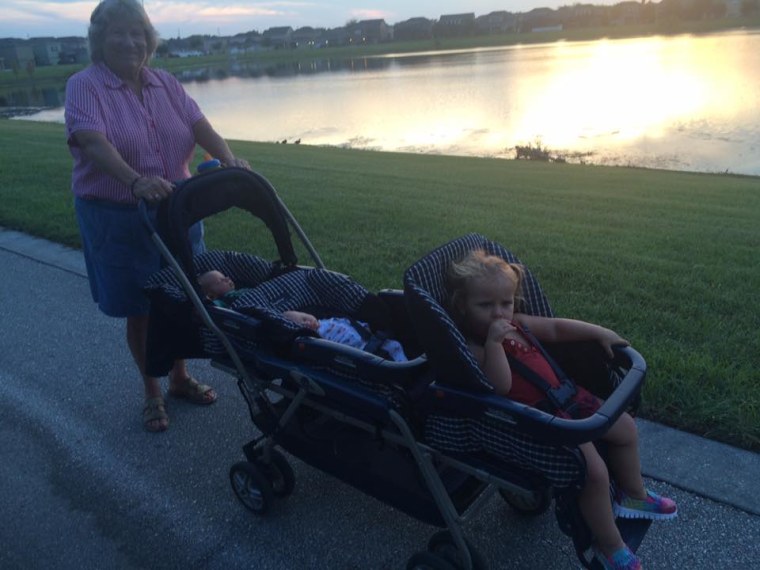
254,321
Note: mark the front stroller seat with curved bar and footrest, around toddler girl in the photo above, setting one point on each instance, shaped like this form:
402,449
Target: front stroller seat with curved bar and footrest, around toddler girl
520,443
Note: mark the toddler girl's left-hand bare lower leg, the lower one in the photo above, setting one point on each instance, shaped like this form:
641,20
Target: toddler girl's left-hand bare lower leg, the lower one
594,502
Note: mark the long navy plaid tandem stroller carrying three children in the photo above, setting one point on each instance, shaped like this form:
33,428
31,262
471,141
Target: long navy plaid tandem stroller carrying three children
427,435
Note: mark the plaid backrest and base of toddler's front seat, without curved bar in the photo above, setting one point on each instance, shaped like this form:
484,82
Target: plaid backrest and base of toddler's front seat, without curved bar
495,426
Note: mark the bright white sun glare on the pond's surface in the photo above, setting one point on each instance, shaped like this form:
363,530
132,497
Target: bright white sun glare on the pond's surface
618,92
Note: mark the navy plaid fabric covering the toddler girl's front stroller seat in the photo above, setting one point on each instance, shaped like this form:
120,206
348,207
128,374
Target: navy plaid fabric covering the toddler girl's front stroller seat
455,365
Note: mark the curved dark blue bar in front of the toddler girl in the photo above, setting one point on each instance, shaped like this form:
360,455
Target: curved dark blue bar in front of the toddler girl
542,425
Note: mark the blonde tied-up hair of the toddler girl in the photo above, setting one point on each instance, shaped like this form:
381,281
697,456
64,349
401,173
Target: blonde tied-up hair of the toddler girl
478,264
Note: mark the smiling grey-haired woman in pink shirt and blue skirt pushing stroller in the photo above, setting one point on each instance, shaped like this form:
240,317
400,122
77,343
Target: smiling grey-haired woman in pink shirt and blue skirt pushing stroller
131,131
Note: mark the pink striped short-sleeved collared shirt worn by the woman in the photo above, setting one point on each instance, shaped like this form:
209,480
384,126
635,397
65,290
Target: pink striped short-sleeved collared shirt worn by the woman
155,137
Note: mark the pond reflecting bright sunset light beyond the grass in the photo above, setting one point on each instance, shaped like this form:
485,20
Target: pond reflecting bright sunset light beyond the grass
675,102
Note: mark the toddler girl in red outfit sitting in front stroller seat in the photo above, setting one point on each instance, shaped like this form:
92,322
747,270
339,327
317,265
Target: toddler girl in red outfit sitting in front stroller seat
483,291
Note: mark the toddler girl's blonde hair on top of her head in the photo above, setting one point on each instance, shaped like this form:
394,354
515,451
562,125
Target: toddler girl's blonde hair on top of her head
476,272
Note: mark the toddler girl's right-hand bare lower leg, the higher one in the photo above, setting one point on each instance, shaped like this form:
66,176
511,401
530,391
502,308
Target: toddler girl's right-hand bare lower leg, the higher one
623,450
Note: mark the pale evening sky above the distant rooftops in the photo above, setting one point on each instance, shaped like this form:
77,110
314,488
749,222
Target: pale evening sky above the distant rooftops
182,18
